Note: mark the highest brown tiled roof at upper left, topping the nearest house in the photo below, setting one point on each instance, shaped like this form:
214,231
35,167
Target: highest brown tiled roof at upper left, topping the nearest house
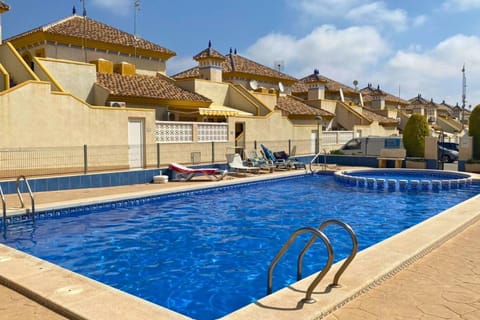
80,27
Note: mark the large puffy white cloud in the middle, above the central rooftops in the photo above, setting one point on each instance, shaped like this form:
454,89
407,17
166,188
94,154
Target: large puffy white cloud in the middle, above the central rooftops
344,54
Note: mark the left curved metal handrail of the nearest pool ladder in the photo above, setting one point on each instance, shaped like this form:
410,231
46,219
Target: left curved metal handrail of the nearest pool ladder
317,234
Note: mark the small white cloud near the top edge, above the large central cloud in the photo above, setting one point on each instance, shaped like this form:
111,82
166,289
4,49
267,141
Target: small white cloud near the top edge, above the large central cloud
378,14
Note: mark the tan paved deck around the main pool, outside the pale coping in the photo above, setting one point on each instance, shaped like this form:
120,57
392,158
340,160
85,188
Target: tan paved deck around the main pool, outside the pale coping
442,284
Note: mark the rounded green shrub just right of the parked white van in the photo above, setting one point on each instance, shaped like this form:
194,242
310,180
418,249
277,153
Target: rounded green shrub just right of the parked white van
414,135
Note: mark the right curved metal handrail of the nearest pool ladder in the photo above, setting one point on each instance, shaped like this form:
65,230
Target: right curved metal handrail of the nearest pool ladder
347,261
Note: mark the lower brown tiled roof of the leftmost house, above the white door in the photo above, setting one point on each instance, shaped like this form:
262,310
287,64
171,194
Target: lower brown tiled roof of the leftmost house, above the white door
143,86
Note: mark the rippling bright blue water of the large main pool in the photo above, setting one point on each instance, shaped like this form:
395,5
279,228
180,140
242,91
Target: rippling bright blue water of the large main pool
206,253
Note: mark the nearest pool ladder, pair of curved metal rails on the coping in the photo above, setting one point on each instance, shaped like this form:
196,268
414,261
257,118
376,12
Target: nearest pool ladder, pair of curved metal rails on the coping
316,233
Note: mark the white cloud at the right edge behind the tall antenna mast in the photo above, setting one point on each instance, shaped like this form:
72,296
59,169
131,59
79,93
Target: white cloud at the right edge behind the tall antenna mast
436,73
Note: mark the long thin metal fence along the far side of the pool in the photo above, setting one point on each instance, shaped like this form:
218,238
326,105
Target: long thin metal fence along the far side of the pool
44,161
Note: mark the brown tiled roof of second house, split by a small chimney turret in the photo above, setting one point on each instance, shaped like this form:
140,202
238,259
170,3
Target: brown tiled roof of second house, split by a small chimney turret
237,63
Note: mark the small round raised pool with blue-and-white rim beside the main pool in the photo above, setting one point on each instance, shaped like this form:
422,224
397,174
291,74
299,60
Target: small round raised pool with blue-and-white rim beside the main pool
404,179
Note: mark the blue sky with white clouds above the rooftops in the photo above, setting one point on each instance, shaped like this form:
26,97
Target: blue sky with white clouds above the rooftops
407,47
